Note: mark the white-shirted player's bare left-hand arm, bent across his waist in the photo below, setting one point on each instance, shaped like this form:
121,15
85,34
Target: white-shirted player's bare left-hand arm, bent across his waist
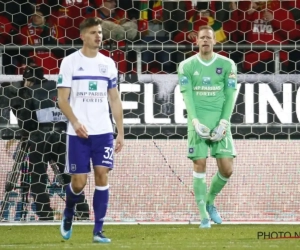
63,102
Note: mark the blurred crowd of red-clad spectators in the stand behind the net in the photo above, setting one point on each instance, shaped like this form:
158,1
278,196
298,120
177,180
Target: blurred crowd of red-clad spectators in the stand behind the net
55,23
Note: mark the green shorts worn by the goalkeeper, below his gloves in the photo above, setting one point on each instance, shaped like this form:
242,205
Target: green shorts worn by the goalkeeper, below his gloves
198,147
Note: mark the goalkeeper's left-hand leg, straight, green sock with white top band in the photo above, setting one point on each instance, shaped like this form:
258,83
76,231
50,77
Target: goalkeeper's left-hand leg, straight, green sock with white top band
200,188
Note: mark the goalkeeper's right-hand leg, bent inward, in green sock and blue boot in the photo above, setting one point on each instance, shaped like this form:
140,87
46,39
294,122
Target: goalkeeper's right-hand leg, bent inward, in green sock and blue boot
219,180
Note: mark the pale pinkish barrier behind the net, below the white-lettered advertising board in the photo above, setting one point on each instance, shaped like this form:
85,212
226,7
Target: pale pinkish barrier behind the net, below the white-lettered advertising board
143,188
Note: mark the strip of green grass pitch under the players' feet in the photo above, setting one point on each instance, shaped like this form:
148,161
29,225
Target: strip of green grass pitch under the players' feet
143,237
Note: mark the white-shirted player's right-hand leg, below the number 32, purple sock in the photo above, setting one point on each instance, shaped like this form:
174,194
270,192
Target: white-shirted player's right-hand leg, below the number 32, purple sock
100,203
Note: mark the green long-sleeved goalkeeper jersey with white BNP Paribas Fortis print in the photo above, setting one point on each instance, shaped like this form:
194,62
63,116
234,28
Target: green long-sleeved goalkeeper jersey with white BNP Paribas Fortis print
208,87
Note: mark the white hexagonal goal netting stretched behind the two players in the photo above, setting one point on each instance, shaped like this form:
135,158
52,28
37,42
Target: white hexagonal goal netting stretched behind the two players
147,40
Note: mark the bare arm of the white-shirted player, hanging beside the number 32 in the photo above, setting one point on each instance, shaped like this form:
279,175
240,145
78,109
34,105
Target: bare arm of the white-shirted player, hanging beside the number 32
117,112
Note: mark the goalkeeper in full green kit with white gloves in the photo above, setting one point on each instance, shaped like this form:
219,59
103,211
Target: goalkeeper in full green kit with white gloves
208,84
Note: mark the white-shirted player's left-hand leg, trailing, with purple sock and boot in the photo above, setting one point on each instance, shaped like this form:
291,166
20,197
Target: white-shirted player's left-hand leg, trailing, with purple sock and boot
73,195
